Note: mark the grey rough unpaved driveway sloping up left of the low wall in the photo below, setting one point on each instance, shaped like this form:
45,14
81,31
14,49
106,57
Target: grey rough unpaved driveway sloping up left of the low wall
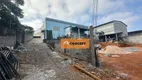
38,62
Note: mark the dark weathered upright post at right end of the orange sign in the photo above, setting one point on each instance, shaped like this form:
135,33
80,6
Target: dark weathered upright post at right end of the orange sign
92,48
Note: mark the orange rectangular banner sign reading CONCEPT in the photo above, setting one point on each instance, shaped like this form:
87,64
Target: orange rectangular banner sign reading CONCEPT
75,43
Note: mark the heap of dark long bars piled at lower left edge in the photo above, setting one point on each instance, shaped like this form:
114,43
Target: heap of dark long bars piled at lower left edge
8,64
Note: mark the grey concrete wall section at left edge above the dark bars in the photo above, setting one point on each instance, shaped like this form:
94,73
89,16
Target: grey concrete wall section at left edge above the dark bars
7,41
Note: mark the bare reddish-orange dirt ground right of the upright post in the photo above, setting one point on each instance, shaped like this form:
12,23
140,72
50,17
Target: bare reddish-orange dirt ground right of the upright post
130,64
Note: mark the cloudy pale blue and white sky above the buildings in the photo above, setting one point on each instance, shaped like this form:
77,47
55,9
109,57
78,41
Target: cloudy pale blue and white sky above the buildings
80,12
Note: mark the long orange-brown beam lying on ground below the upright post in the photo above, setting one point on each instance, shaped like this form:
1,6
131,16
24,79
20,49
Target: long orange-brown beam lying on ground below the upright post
86,72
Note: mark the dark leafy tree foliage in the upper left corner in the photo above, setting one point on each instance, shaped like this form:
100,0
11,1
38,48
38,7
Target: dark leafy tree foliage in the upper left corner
9,13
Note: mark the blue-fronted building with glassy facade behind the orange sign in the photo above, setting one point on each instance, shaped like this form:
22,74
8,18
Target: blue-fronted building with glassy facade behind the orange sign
54,29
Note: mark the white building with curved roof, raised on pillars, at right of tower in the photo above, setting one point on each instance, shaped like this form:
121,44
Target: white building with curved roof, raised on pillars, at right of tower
113,30
